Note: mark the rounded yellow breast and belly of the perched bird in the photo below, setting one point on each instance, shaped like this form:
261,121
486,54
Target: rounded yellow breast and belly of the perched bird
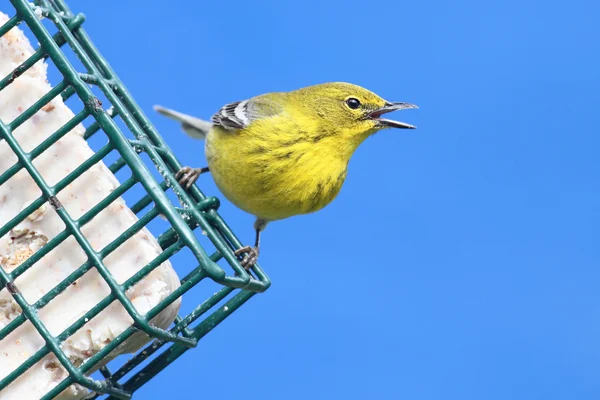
277,168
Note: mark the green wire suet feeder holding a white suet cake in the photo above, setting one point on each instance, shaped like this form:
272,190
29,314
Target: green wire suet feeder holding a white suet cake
64,217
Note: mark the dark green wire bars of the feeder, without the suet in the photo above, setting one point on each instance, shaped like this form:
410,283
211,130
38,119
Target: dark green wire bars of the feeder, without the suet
200,208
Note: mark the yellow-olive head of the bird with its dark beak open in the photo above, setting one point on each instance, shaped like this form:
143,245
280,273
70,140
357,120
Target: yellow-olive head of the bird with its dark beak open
350,110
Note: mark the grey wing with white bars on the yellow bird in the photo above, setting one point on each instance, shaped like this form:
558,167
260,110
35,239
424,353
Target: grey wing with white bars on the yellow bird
238,115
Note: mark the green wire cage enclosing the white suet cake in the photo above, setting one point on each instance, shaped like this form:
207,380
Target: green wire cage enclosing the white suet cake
193,222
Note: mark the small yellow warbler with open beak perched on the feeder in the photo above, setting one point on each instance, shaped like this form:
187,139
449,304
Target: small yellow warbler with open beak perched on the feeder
282,154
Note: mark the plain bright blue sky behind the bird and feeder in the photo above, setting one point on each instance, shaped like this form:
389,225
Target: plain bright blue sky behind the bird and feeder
460,260
